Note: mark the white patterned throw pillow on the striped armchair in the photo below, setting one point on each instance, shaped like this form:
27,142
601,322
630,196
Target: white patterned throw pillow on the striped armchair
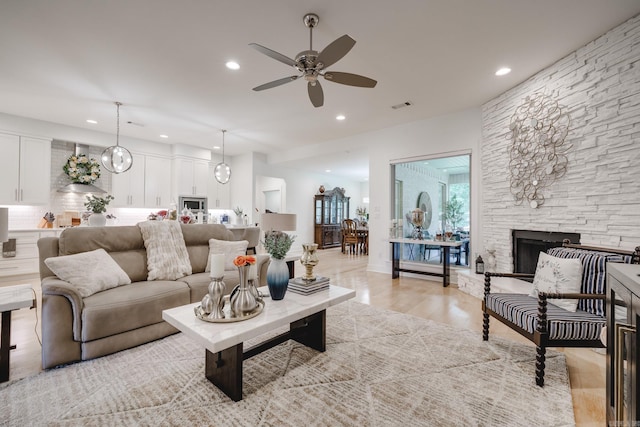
558,275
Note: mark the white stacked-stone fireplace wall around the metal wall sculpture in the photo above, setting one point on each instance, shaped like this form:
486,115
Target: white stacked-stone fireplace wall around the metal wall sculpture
599,197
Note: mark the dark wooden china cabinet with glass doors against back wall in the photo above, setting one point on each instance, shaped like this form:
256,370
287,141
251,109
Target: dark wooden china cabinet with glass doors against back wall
331,207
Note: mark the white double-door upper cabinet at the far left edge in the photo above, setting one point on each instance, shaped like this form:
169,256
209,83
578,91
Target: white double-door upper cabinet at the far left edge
26,170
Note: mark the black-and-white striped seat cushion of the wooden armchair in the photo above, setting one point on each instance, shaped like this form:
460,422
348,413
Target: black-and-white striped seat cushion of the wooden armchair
522,310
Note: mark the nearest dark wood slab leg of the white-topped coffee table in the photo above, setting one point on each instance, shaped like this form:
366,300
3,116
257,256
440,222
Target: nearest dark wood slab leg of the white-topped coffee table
224,370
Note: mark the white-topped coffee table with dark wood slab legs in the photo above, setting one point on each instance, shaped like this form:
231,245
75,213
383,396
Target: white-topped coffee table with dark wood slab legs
305,315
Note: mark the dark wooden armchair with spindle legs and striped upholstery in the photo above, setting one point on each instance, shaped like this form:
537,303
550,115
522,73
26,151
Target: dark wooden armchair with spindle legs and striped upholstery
548,325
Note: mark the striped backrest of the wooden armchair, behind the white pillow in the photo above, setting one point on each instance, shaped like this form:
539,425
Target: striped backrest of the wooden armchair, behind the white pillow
594,274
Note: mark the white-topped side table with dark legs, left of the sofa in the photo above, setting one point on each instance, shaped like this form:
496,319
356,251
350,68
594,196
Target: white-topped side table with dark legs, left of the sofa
11,298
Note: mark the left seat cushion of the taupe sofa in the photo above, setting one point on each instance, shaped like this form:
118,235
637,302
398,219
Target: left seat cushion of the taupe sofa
130,307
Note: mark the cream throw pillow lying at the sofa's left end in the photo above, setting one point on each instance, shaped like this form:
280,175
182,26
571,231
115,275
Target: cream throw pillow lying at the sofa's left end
88,272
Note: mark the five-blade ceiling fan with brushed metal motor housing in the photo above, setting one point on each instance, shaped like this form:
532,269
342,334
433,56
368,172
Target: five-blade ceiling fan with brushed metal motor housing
313,64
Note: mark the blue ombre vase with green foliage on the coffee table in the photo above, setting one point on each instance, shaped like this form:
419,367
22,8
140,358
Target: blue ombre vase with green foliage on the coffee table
277,244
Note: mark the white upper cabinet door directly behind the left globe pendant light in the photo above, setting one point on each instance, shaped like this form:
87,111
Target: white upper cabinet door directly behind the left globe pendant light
128,188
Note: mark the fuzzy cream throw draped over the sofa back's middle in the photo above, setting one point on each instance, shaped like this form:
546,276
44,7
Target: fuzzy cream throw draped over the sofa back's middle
167,257
